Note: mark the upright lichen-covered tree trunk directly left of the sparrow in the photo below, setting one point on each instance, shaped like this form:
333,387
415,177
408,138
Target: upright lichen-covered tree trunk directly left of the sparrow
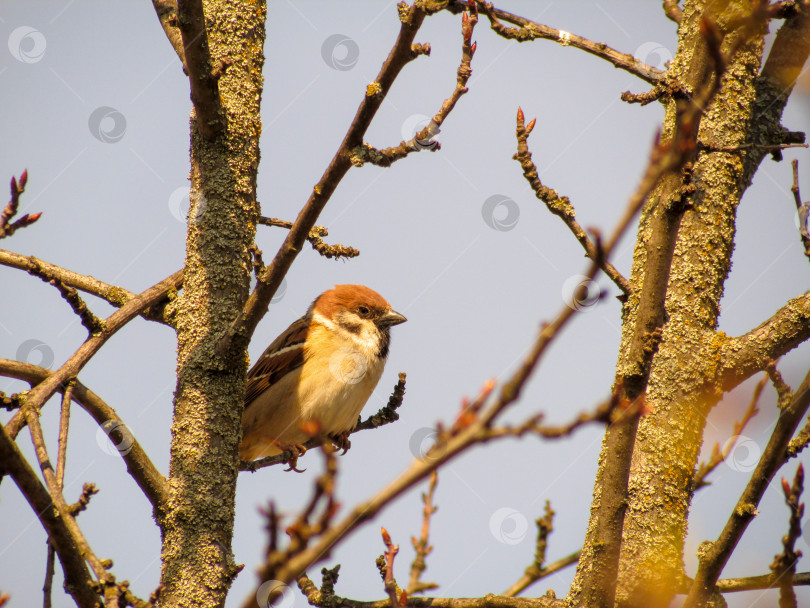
197,563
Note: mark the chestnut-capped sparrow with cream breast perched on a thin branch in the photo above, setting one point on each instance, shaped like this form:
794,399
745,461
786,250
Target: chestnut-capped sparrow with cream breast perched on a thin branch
314,379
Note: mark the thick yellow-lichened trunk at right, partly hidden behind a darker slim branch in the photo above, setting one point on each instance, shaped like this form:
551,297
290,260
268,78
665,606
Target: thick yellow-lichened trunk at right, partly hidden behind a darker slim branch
683,385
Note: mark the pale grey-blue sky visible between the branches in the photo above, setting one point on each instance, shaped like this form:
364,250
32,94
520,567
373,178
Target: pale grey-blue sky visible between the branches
474,295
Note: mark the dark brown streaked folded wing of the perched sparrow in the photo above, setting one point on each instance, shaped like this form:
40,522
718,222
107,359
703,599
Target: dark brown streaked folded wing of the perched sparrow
284,355
